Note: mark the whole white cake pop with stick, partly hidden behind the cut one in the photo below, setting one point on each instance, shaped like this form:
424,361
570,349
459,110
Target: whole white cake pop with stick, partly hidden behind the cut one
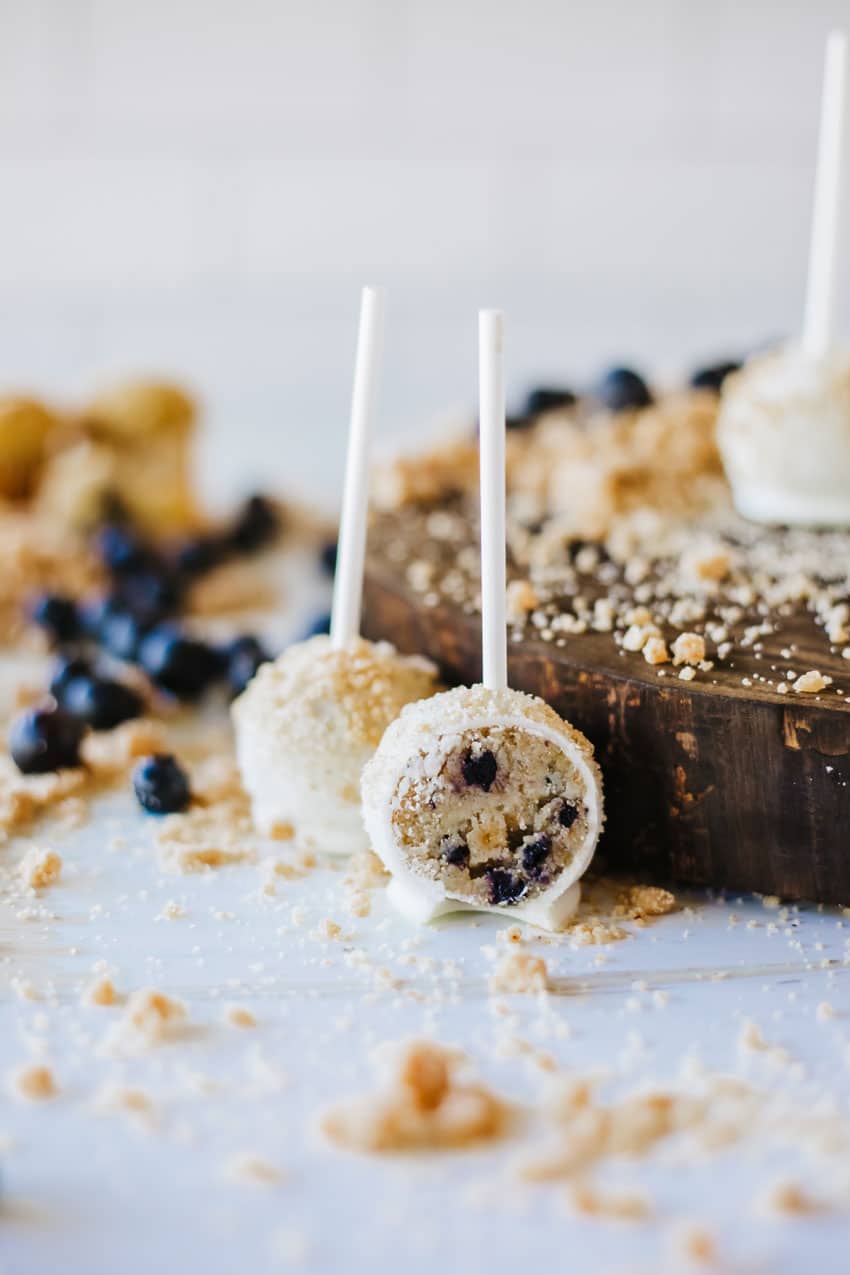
309,722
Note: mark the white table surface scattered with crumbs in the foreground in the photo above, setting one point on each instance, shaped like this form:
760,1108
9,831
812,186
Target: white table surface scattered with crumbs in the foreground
97,1194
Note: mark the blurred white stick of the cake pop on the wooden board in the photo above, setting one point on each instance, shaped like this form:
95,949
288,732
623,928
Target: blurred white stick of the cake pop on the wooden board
820,295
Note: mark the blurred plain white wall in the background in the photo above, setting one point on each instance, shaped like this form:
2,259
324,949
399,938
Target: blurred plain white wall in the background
201,187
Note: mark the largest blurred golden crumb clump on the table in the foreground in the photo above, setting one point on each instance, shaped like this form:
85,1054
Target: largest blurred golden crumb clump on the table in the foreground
425,1106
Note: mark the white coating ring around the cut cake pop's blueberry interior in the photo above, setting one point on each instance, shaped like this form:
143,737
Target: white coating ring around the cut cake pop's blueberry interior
419,741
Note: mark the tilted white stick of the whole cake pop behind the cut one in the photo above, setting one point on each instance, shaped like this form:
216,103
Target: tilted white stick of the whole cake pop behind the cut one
349,578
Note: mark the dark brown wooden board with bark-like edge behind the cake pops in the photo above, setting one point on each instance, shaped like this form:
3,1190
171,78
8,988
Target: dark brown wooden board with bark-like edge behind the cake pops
707,783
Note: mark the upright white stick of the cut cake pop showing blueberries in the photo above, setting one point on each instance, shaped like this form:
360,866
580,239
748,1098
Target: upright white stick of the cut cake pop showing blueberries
491,411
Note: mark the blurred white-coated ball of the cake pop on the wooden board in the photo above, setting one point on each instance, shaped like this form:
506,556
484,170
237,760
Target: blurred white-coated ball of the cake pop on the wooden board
784,435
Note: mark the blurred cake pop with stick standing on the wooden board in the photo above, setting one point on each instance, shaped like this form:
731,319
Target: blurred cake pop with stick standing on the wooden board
784,425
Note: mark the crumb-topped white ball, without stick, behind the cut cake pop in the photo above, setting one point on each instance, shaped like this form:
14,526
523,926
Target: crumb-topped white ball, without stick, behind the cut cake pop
306,726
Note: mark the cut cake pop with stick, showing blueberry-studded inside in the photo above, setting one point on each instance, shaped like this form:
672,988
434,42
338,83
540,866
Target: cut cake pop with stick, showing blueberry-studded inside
484,798
